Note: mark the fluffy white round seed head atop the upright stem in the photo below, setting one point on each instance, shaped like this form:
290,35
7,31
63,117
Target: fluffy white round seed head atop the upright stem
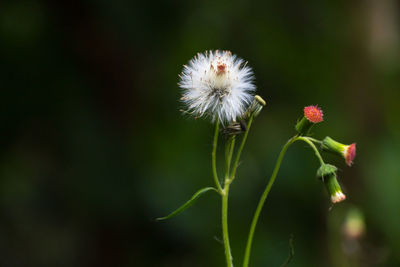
217,84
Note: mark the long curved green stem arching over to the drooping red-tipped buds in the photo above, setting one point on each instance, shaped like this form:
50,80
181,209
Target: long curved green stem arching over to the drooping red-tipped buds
268,189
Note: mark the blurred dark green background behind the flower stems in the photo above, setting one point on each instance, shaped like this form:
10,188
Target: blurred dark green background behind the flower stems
93,146
